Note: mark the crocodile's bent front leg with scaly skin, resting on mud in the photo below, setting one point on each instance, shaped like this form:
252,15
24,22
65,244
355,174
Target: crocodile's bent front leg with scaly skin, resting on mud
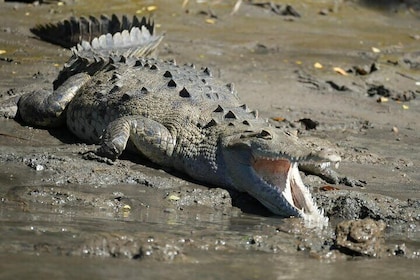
149,137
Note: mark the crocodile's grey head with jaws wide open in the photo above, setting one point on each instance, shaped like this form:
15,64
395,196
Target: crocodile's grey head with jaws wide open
265,165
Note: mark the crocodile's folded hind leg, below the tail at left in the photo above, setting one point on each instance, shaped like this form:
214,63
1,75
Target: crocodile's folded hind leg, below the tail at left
45,108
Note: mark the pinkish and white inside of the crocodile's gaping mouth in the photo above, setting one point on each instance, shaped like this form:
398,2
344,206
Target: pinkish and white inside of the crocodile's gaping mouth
284,175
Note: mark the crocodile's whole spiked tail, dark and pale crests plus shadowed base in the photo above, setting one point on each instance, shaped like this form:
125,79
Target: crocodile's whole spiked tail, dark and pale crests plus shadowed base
96,42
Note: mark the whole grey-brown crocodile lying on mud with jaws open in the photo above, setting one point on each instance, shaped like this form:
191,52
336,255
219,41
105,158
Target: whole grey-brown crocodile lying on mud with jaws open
115,93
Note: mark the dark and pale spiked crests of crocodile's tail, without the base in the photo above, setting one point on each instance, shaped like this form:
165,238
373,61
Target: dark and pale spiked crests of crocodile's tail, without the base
102,36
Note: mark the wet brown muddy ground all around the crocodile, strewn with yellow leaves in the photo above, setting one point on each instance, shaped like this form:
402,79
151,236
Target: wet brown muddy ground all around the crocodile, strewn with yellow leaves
345,72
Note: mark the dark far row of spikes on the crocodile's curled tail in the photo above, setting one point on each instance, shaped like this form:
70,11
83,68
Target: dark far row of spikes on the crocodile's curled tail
70,32
